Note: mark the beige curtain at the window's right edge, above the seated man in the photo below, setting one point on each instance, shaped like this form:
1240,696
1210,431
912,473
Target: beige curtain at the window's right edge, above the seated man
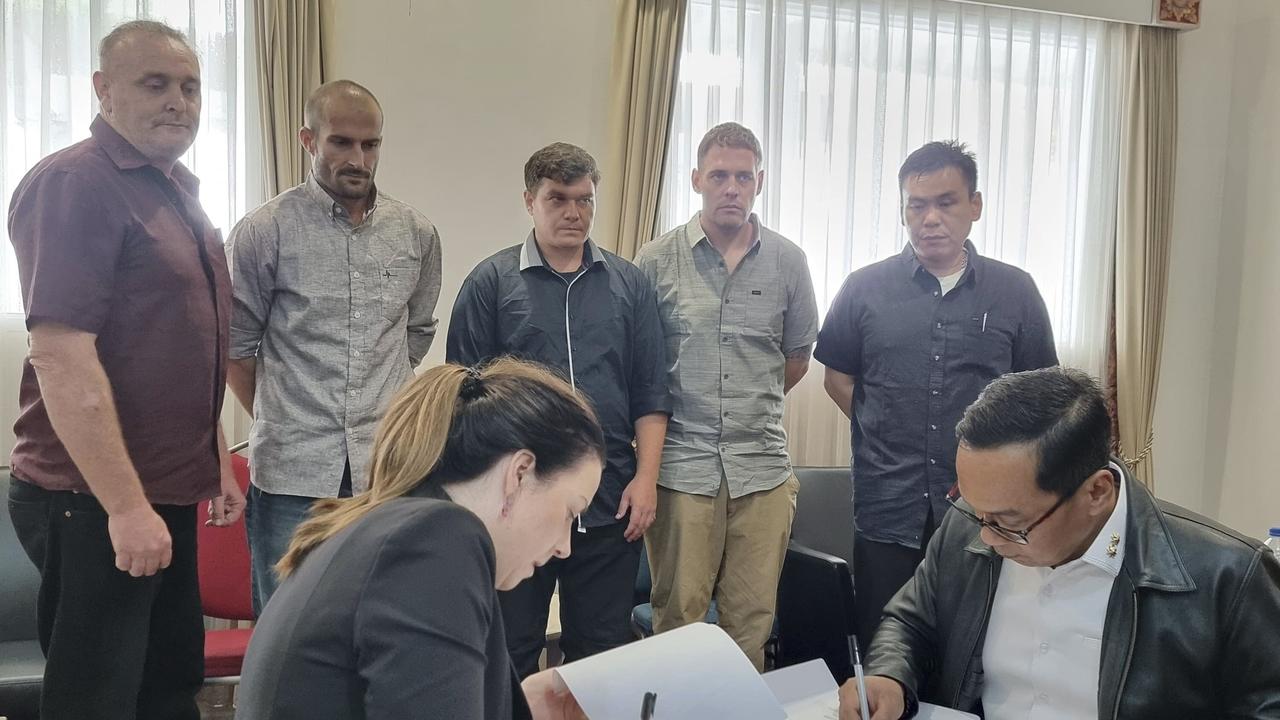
1144,220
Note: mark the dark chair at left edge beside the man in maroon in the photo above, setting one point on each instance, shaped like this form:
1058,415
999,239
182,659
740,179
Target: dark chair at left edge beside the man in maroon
22,664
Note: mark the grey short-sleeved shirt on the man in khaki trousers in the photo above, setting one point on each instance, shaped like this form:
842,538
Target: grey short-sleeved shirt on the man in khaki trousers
728,340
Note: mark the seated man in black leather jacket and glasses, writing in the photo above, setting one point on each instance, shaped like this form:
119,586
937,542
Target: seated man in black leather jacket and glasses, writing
1110,605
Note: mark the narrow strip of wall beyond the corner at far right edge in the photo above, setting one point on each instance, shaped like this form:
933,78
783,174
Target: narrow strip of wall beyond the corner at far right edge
1244,427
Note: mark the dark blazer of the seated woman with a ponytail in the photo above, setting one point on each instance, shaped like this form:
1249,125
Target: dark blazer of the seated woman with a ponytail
394,618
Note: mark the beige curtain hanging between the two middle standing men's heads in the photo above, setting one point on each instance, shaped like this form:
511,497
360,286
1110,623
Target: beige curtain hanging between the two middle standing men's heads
646,61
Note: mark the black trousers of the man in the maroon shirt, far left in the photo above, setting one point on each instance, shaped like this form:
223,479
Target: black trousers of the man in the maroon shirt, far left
116,646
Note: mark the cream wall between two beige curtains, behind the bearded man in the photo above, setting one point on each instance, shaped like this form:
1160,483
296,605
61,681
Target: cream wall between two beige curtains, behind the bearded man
470,90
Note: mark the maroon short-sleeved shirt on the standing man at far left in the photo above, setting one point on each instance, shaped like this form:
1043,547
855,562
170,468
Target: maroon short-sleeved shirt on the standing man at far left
109,245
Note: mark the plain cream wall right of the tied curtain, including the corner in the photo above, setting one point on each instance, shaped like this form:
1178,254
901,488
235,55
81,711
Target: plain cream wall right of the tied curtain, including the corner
1217,413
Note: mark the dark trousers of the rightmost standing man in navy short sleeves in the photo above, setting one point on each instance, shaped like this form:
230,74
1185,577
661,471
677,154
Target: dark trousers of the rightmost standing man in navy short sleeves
880,571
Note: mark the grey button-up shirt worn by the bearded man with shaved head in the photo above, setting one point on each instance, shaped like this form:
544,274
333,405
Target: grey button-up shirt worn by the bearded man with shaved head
337,317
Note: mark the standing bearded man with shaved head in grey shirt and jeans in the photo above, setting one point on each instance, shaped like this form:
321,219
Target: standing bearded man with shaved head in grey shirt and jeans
335,306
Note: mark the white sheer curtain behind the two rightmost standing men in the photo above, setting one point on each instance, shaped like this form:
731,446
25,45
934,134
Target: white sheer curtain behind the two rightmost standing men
840,92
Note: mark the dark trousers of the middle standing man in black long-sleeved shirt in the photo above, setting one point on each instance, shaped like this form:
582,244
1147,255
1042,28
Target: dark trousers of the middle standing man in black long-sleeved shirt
597,591
